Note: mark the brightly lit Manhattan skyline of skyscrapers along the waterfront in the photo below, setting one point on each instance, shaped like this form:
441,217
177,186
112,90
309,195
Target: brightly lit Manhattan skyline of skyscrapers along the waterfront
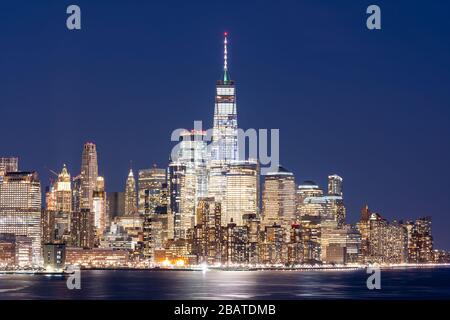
205,209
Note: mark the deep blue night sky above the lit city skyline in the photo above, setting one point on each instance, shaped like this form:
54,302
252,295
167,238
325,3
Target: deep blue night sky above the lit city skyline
371,106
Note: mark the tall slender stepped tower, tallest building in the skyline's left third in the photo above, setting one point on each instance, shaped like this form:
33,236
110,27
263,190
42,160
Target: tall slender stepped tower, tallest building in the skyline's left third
89,174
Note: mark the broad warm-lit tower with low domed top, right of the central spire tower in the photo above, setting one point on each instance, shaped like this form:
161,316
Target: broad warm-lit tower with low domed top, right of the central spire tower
278,201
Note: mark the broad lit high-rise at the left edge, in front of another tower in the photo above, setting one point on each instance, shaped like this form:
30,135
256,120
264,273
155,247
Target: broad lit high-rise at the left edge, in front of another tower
20,208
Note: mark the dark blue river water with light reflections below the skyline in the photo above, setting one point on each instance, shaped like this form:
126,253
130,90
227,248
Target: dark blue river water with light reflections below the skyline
395,284
